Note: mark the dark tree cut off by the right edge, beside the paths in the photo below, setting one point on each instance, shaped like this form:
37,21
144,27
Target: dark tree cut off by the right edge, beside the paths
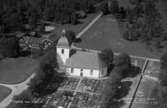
163,74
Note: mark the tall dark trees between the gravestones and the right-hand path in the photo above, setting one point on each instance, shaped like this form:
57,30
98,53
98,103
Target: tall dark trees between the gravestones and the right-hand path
113,89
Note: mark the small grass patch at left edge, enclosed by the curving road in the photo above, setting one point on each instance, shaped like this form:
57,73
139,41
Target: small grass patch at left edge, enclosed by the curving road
4,92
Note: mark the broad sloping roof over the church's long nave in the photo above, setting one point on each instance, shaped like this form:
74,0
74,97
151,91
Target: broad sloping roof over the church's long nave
85,60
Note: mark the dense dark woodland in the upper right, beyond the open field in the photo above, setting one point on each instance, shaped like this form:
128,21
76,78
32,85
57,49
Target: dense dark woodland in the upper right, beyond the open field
144,23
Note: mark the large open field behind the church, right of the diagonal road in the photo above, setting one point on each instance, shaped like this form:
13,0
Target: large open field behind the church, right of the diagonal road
105,33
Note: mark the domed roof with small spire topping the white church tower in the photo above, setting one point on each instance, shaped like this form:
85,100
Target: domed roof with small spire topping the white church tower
63,41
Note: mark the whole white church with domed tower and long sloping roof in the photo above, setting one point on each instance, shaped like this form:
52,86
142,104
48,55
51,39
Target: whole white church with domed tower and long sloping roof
78,62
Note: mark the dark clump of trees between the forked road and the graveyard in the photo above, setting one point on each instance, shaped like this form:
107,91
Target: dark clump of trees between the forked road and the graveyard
46,81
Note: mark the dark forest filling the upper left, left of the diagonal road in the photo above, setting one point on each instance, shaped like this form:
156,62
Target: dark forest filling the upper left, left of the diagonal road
15,14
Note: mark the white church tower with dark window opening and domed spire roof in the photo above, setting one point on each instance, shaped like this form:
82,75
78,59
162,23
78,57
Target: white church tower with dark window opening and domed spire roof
63,47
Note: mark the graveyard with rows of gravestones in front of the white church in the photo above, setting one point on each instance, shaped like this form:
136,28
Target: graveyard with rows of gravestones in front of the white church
76,92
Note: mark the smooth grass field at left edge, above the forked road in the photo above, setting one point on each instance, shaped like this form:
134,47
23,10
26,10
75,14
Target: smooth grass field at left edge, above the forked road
17,70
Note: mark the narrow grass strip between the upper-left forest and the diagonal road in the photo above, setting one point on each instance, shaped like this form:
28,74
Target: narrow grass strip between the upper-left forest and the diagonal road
76,28
